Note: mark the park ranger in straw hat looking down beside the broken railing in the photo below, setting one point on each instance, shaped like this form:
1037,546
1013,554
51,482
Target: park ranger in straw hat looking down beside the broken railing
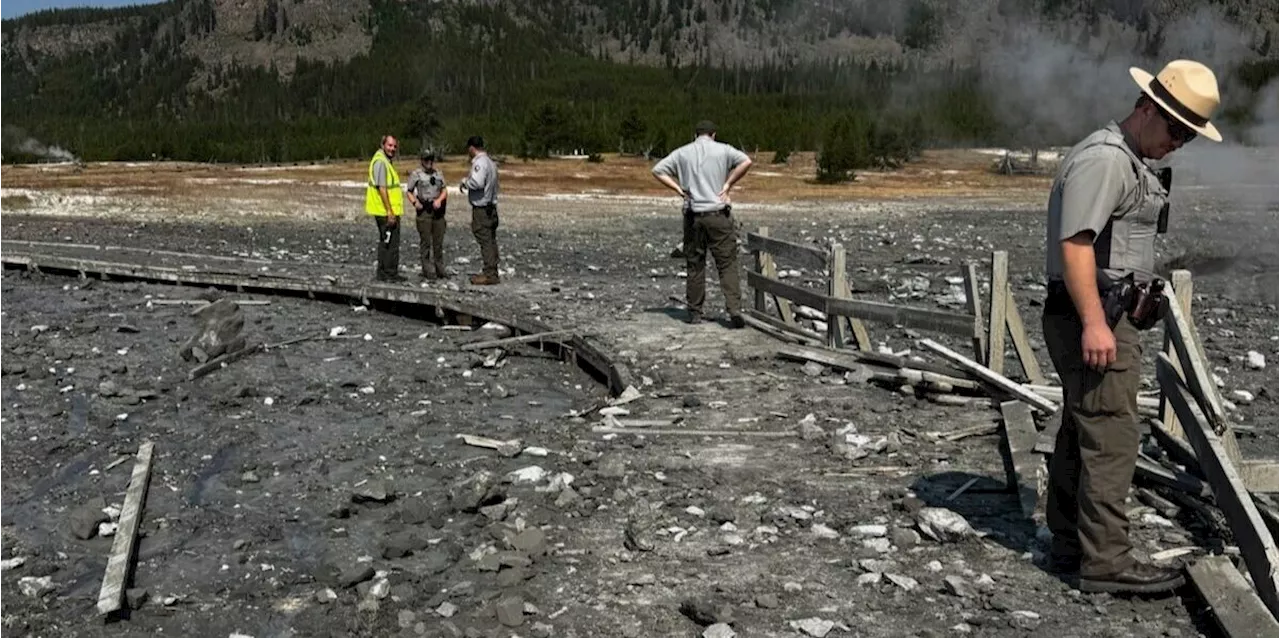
1105,209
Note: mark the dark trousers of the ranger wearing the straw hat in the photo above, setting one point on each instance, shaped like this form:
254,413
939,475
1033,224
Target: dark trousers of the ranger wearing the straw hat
1098,446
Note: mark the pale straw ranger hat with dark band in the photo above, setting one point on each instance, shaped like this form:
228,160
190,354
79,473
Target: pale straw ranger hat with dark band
1187,90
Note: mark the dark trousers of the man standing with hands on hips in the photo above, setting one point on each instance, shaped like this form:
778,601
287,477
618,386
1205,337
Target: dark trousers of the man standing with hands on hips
715,233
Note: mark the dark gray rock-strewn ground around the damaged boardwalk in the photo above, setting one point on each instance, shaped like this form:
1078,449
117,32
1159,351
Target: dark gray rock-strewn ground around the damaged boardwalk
272,519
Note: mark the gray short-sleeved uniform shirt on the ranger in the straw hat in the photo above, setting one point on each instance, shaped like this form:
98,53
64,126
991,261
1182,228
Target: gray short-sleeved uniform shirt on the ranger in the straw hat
1105,189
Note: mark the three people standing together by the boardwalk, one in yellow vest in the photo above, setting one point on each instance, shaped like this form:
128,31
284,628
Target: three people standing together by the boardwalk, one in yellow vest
429,195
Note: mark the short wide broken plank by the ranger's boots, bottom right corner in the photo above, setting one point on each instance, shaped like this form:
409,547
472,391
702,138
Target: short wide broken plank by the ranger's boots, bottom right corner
1237,608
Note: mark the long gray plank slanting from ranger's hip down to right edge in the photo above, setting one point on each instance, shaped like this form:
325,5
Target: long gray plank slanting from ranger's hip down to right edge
1258,545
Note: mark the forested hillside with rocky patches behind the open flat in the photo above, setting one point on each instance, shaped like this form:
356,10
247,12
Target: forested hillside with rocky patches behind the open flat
295,80
